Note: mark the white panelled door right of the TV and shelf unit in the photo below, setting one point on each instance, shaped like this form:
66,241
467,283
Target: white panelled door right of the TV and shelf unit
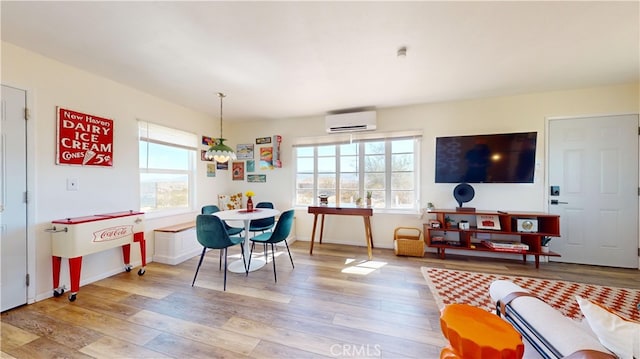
593,174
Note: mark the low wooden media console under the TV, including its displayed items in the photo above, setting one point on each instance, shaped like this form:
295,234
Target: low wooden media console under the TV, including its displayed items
498,232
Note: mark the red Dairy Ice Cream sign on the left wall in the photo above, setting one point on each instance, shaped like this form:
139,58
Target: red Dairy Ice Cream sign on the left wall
83,139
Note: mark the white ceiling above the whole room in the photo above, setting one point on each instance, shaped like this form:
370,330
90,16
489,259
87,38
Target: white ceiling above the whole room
296,59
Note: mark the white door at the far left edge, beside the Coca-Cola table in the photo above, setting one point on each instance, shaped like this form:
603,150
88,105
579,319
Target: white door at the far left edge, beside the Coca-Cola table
13,206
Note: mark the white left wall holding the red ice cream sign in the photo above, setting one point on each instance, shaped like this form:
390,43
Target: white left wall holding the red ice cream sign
101,190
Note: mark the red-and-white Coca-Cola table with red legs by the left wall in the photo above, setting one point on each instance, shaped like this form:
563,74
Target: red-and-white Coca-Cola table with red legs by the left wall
73,238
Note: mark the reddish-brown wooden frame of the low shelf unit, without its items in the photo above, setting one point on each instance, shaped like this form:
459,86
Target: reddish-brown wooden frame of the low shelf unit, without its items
548,226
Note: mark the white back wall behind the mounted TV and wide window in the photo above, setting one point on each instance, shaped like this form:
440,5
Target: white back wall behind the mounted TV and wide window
504,114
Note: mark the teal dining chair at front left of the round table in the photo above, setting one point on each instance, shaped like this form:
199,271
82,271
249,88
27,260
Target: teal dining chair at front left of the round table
212,234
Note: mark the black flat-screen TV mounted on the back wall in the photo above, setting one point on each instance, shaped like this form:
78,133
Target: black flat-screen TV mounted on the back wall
497,158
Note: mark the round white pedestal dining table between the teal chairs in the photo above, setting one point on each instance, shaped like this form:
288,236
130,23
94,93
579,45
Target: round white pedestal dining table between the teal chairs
246,217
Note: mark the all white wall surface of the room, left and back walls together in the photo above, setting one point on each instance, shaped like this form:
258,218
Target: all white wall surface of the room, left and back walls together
50,84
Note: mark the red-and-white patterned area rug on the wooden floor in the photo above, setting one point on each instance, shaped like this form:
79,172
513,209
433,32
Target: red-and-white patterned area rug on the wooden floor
453,286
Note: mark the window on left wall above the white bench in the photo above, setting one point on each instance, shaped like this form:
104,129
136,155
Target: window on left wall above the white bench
167,168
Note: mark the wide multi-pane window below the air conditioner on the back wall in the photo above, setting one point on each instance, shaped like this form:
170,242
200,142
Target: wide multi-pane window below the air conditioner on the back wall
347,171
